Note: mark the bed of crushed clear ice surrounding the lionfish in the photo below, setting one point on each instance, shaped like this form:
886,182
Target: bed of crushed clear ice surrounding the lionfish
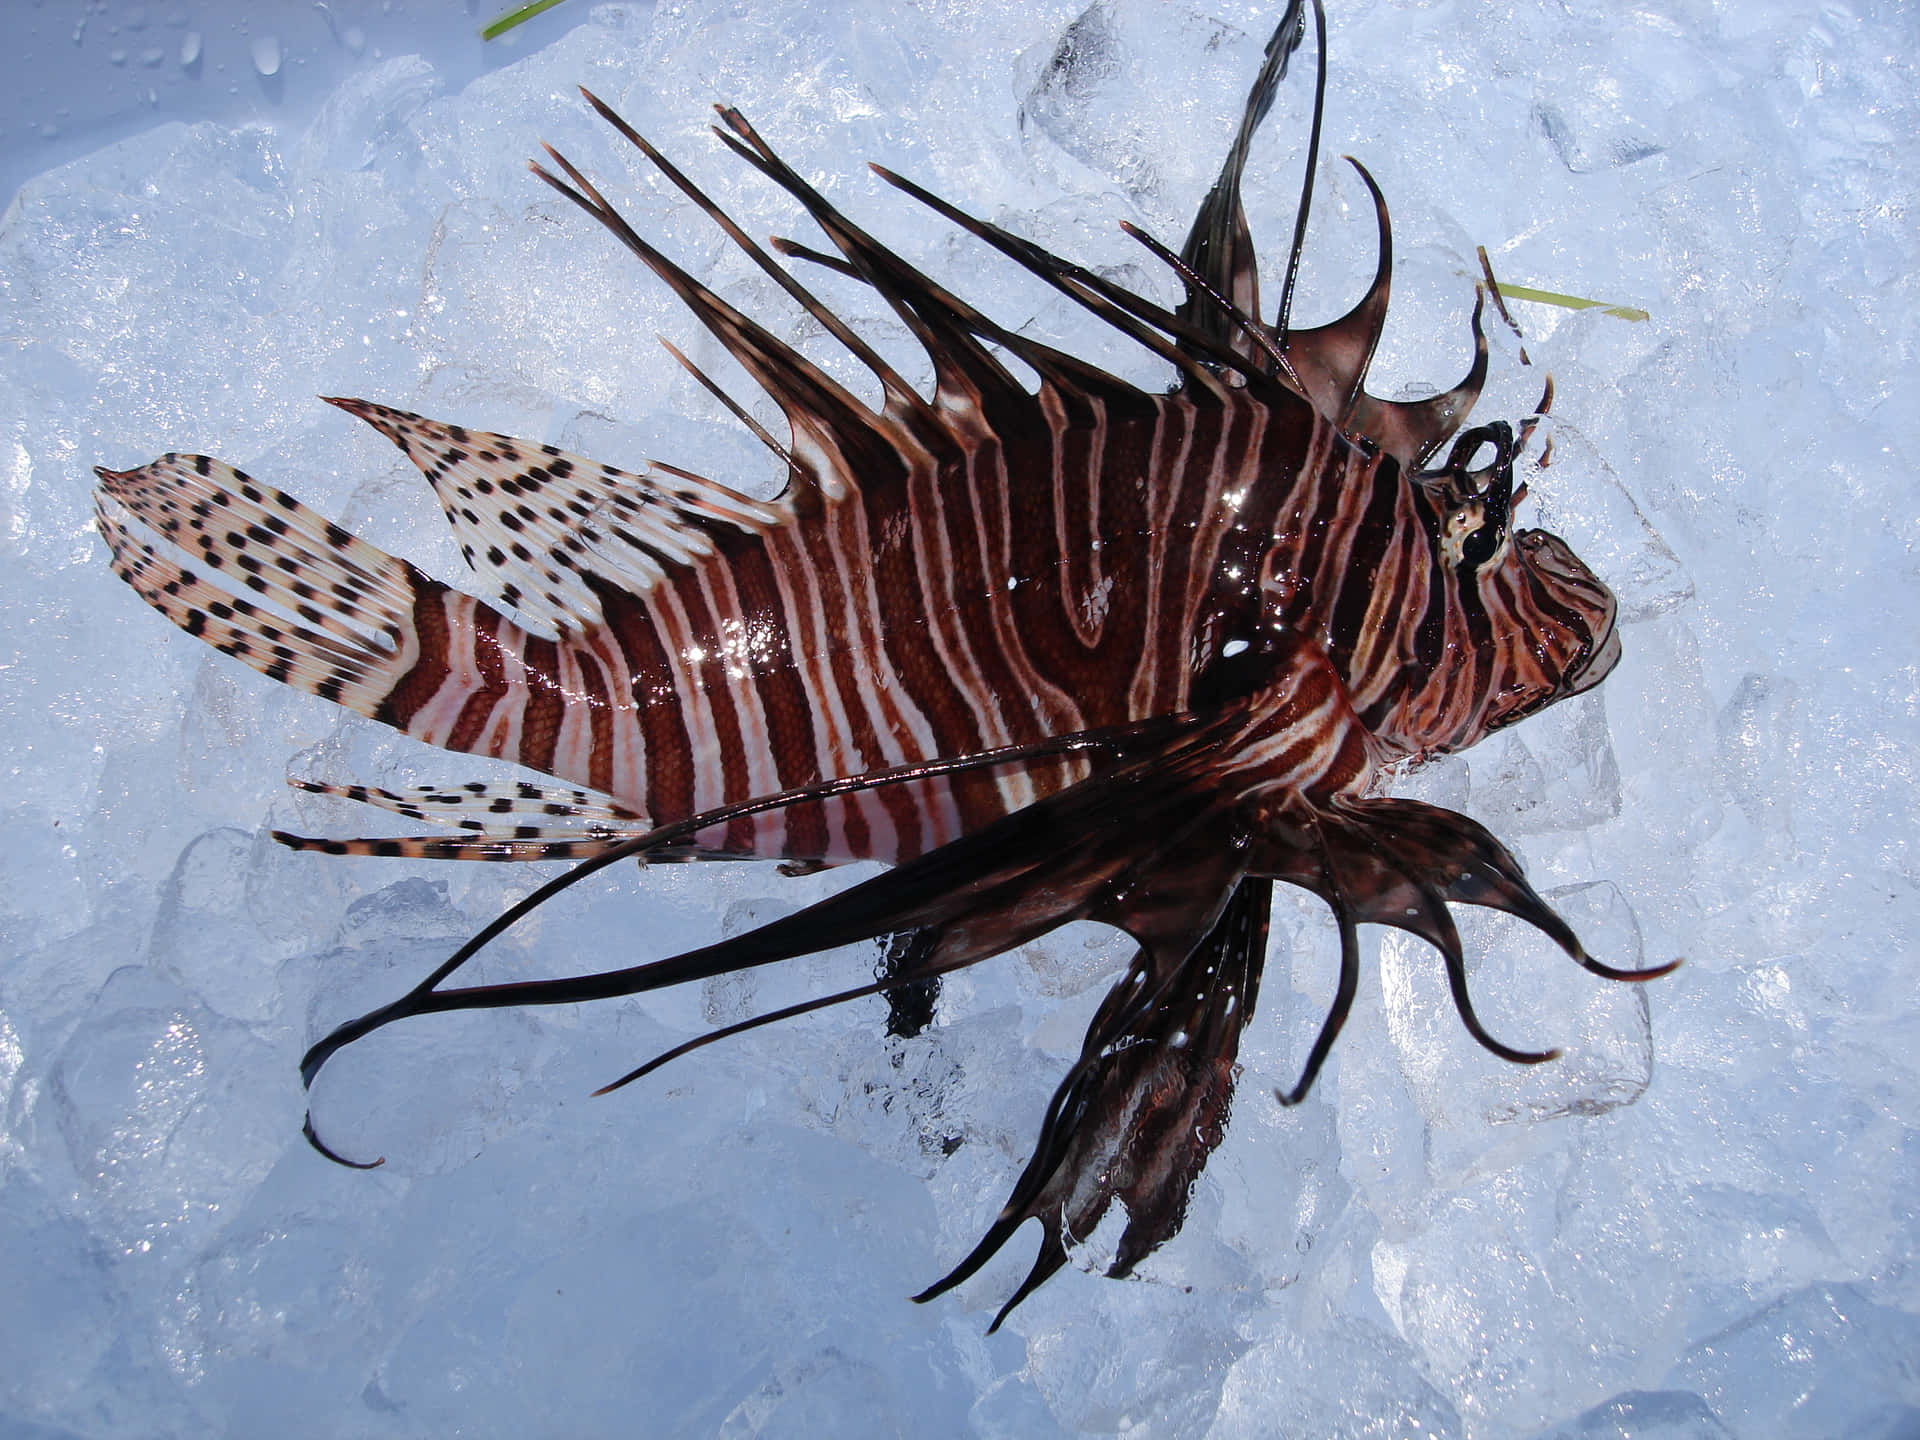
1700,1224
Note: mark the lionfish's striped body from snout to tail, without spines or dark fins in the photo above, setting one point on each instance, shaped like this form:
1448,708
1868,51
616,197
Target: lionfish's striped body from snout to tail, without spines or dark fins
786,646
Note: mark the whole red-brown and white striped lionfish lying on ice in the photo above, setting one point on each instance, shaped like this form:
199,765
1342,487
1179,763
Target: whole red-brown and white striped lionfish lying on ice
1074,652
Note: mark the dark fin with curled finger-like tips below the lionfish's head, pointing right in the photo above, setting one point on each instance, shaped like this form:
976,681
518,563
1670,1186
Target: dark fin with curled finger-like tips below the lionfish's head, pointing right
1401,863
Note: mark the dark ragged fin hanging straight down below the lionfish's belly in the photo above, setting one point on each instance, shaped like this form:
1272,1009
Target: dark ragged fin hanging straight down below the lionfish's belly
1138,1118
